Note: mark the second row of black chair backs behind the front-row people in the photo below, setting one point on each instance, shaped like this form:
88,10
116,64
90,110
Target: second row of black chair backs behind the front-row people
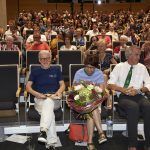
64,57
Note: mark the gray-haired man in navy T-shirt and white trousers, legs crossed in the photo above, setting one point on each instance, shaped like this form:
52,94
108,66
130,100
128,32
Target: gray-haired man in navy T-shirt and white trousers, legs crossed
46,80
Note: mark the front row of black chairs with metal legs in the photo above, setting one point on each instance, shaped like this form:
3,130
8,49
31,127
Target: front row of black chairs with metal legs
10,93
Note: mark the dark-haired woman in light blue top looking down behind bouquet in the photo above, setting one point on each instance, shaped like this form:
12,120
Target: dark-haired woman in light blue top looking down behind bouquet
92,74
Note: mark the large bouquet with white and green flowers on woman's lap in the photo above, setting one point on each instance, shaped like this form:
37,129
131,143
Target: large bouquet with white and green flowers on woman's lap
85,97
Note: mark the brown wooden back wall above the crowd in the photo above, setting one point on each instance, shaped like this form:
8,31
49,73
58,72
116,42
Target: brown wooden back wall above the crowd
19,5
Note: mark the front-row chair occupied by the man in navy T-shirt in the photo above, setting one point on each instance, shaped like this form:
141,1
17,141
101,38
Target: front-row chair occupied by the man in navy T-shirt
32,117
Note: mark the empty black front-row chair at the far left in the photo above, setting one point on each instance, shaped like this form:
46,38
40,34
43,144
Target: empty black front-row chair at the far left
9,94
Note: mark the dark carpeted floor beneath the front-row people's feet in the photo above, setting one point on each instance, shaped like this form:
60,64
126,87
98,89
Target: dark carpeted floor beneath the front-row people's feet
118,142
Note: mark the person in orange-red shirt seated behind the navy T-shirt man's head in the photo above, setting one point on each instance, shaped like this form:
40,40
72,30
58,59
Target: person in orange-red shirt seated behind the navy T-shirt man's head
37,44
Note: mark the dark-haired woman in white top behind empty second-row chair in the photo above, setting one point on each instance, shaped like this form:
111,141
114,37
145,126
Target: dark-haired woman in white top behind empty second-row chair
67,43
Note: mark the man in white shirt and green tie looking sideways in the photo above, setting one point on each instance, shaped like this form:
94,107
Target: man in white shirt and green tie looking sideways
131,81
